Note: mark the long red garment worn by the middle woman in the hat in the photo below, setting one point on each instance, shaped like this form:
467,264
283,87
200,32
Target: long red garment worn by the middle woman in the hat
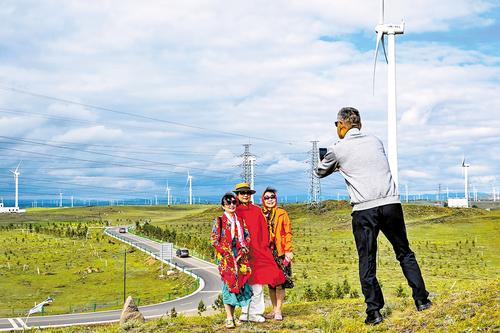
264,268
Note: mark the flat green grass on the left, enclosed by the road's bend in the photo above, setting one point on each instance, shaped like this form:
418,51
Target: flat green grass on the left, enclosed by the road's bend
81,275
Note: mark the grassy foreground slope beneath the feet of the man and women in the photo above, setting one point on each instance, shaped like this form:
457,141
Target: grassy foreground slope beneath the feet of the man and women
475,310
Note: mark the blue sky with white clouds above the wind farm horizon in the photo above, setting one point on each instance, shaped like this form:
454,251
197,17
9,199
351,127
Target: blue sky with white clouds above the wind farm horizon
113,100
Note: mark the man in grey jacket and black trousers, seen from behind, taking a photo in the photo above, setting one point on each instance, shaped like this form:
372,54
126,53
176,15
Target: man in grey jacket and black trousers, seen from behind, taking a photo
361,160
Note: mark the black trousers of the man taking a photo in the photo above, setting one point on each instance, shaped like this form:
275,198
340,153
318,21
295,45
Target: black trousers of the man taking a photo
366,225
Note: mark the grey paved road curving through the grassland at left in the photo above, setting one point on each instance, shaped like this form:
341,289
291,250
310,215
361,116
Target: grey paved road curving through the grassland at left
209,289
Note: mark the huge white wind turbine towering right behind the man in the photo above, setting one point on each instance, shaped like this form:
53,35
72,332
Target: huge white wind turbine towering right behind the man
391,30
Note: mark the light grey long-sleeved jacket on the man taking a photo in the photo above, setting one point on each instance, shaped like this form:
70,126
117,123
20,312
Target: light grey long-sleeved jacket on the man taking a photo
361,159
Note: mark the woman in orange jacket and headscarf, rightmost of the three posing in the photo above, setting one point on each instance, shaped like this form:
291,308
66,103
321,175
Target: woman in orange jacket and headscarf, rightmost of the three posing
280,237
